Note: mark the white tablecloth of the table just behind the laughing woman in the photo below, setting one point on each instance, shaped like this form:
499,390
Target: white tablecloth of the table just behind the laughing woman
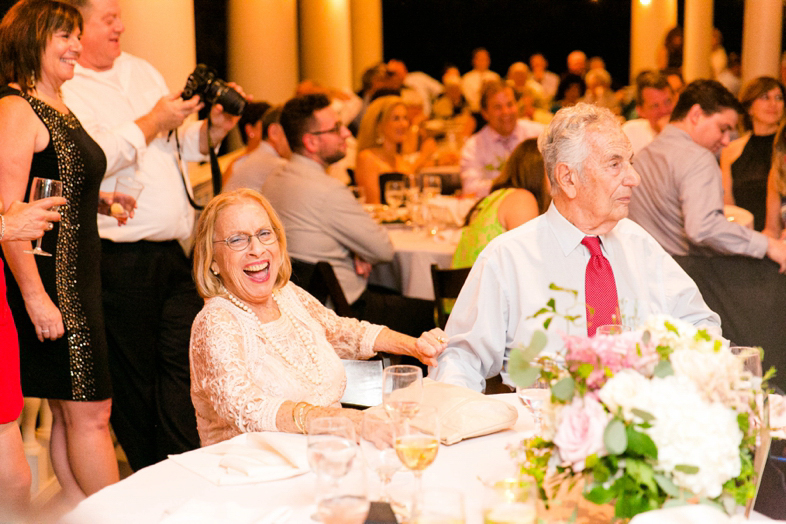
410,270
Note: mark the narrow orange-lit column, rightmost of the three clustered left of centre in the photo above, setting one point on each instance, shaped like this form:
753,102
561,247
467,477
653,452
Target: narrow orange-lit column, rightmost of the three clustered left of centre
366,19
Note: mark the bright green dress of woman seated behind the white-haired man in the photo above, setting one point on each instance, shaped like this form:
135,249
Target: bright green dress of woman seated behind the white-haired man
483,228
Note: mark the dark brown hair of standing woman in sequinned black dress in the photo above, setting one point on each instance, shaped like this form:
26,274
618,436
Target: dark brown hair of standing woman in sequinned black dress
25,31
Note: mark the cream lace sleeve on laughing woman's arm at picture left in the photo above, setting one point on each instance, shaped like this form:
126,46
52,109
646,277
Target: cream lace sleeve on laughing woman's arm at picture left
222,376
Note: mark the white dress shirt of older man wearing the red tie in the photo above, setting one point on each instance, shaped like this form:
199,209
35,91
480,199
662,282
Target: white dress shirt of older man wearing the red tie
510,280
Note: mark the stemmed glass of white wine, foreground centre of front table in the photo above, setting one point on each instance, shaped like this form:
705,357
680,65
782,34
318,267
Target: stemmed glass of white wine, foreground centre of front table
416,441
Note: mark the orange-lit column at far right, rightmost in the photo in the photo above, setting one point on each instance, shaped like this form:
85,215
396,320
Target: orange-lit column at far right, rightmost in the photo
761,39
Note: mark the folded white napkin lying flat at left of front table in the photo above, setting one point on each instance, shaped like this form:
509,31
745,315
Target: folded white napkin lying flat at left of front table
248,458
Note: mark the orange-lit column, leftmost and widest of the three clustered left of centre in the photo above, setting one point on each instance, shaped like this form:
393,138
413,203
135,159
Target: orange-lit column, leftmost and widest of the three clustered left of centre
262,48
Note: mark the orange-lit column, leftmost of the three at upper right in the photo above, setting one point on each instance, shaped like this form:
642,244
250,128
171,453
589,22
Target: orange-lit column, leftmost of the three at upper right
650,20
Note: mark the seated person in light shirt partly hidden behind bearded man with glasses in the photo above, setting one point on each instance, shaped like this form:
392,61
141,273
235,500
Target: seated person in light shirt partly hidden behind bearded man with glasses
270,155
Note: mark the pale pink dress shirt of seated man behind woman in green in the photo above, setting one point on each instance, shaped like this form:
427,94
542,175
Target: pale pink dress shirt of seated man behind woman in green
485,152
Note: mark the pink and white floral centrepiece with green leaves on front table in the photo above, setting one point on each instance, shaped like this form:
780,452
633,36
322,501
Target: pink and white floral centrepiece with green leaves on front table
660,416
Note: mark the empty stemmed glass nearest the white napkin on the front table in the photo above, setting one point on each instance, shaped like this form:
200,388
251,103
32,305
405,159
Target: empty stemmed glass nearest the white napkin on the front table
331,451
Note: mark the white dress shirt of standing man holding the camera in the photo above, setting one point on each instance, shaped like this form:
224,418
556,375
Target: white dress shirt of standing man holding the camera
107,103
